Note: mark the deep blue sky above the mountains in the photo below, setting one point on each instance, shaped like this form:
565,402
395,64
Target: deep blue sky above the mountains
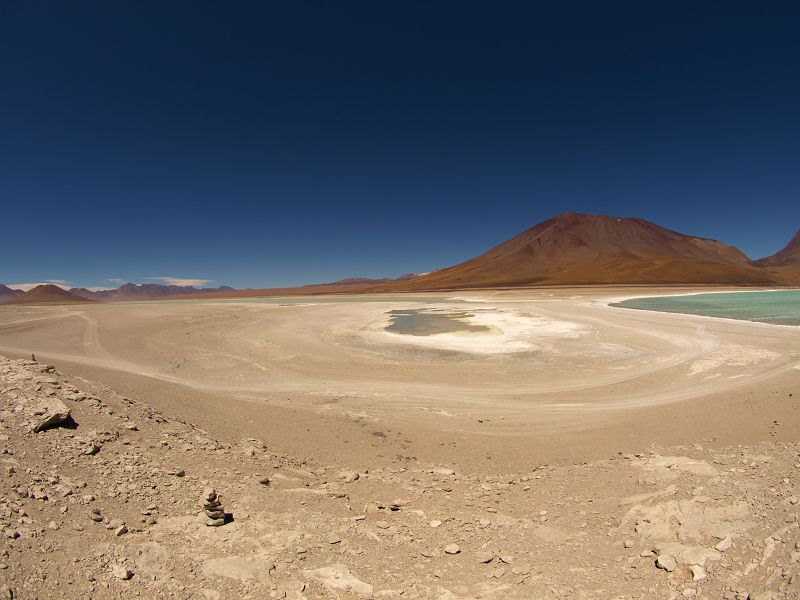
275,143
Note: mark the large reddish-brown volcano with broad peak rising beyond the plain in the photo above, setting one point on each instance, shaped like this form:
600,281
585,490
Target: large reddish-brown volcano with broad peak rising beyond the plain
588,249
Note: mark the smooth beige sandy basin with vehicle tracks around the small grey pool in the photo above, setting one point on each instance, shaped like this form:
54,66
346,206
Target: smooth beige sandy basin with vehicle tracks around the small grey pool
562,378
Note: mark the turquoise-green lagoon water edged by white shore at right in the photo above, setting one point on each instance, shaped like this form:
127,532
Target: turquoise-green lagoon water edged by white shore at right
777,307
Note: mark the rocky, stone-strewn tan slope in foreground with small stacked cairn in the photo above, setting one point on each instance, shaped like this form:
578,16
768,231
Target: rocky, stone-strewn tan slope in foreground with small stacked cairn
102,497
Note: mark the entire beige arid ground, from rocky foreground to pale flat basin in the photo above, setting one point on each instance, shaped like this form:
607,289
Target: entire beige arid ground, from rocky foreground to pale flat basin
555,448
